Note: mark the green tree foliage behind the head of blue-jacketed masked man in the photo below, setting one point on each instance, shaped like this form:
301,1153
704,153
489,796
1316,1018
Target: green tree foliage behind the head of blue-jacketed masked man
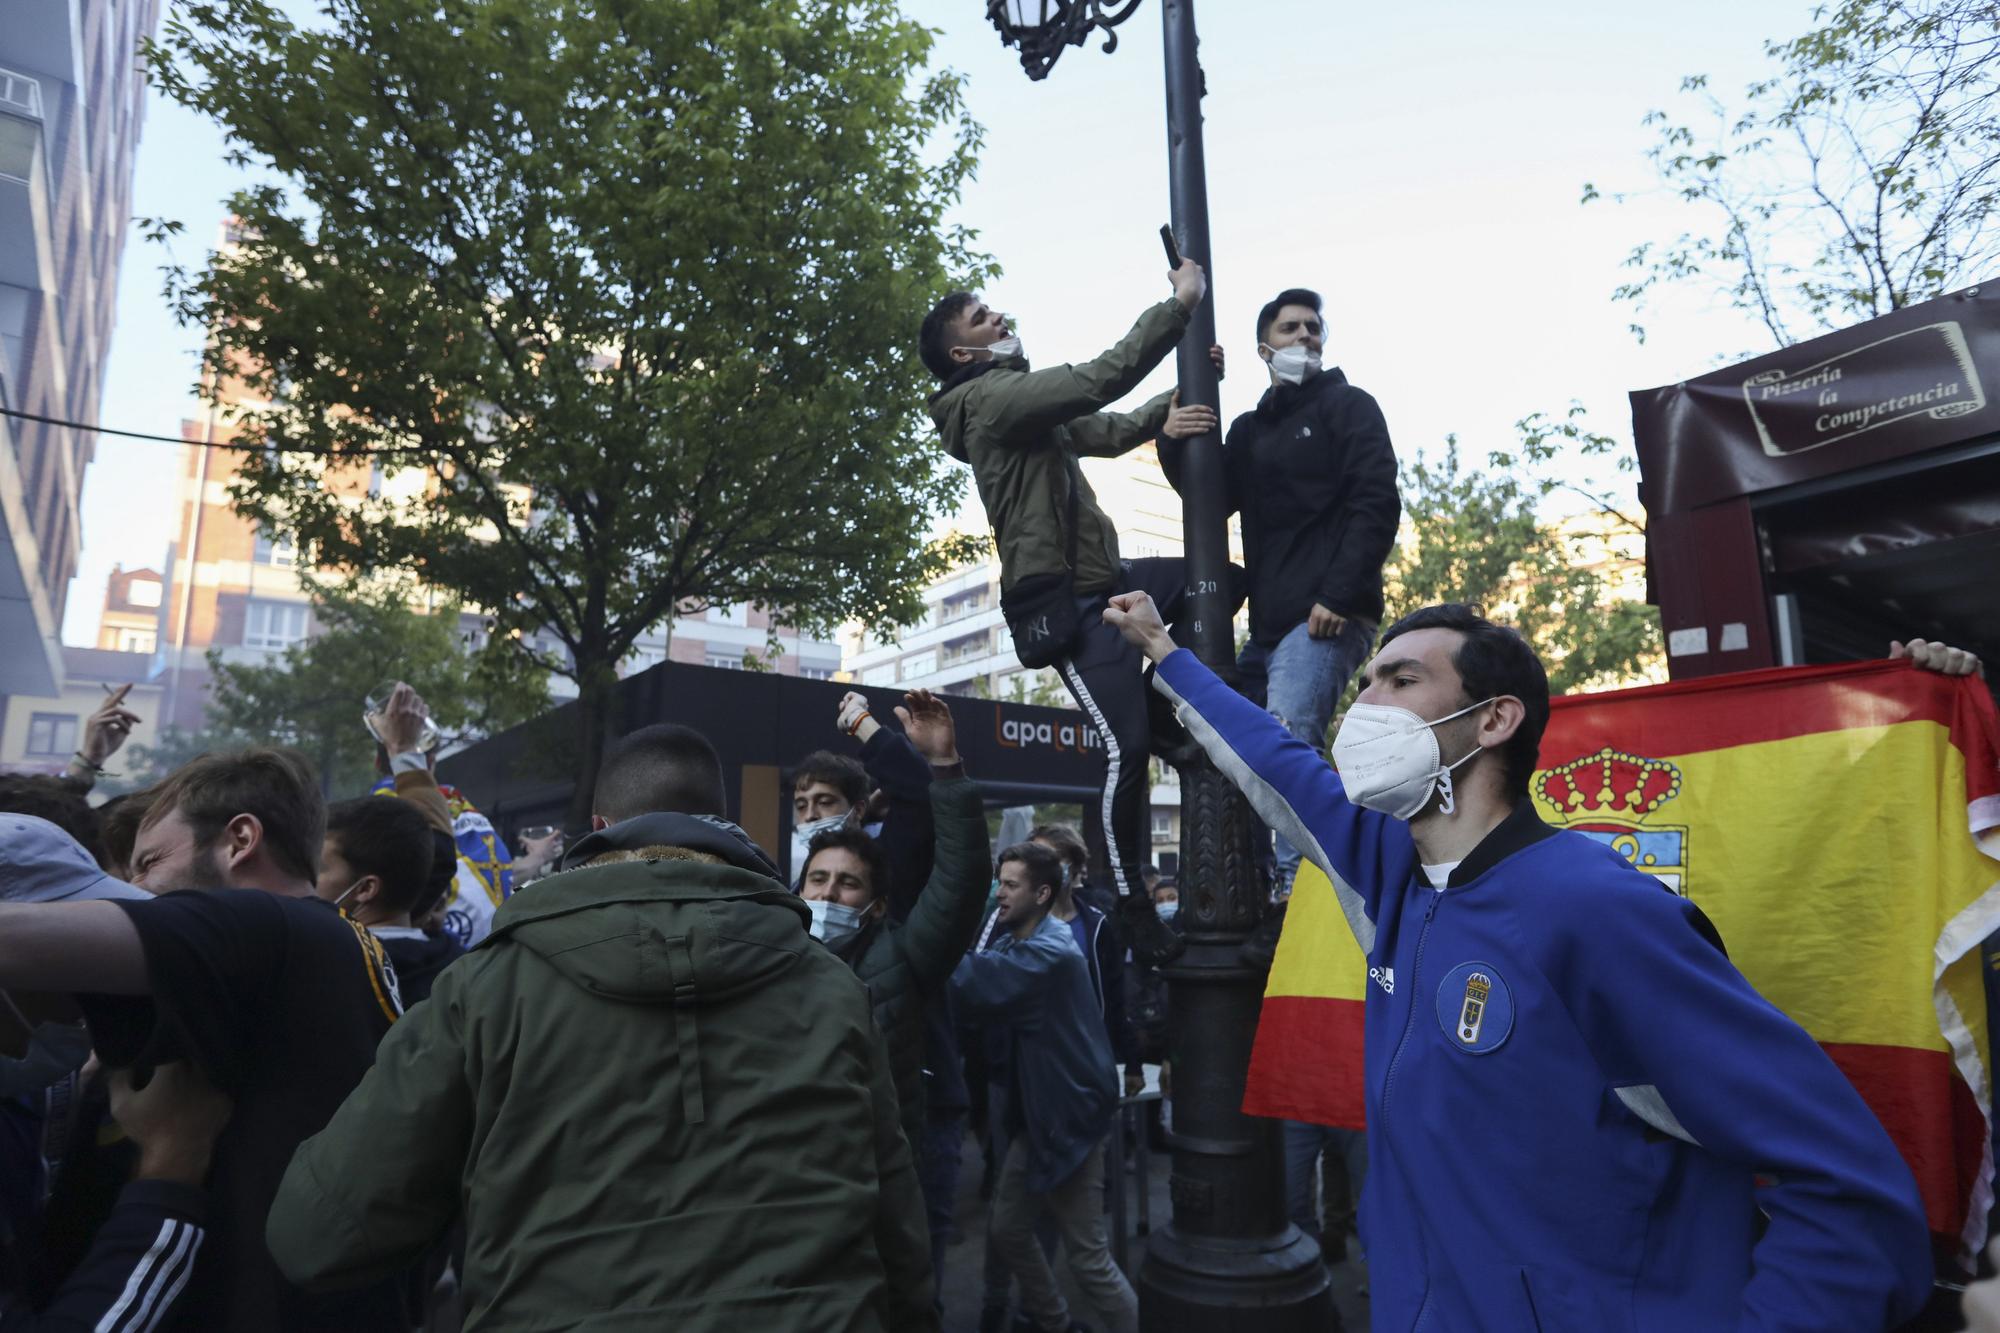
1499,539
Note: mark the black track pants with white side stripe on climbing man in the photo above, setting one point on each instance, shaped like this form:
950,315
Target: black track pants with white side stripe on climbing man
1107,680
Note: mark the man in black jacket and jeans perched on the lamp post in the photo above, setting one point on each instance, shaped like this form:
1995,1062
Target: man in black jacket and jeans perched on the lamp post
1315,479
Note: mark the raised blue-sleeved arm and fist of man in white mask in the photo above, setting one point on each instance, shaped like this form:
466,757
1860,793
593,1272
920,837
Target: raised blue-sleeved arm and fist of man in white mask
1285,780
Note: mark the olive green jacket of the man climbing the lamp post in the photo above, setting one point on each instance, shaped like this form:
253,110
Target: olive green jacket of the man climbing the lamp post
1025,429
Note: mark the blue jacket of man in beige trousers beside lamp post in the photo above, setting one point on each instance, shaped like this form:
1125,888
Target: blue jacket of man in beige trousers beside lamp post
1063,1088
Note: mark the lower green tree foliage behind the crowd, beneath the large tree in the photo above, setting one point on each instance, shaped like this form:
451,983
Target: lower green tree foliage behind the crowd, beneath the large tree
311,698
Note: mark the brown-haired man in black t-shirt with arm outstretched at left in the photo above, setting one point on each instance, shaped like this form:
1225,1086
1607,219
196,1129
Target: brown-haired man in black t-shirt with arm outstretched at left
239,968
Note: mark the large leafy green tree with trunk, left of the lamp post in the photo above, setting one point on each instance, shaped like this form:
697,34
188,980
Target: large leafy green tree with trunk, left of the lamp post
591,309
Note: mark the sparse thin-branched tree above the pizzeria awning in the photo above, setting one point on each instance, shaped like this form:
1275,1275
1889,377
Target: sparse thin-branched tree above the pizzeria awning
1859,179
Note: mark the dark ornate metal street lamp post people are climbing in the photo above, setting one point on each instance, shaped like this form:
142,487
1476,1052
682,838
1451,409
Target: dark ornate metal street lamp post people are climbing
1229,1260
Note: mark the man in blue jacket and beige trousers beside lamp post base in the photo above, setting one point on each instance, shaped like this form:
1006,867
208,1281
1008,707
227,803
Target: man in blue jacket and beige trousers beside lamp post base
1063,1094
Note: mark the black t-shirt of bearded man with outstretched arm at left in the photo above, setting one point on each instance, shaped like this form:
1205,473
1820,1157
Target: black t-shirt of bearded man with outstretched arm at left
281,1002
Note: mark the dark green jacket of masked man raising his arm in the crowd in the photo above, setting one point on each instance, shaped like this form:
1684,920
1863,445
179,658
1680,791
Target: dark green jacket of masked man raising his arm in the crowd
907,964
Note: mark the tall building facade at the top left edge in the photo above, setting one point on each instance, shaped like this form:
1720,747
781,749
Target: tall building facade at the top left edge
71,111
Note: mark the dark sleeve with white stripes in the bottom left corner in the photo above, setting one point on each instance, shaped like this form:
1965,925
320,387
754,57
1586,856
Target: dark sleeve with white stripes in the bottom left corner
135,1270
